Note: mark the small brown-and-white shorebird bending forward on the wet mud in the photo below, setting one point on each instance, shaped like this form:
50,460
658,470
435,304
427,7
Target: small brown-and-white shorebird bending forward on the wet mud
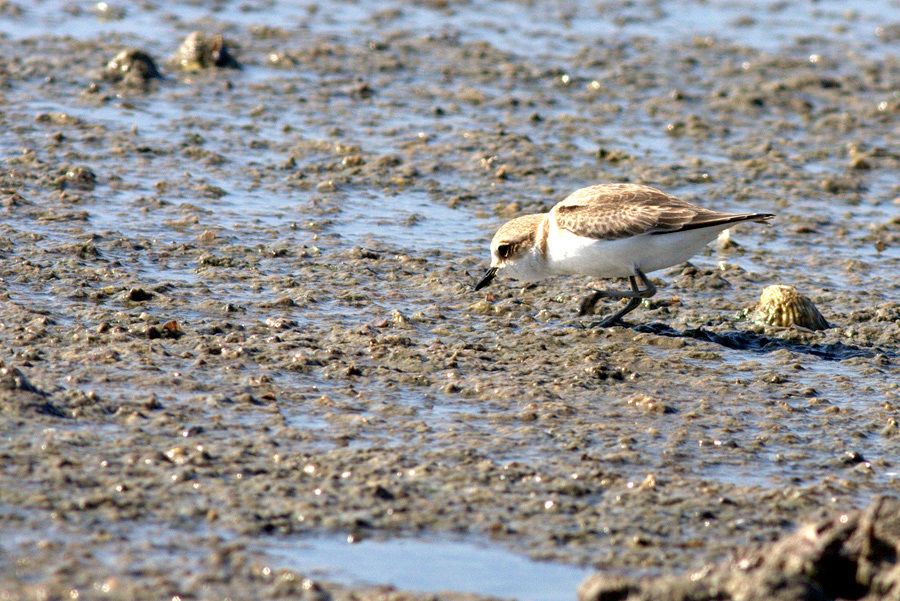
608,231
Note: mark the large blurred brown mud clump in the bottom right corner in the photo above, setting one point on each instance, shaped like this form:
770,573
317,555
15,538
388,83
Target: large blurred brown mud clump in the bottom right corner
852,556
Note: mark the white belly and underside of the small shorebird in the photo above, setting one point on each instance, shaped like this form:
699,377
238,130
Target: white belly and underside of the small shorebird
568,253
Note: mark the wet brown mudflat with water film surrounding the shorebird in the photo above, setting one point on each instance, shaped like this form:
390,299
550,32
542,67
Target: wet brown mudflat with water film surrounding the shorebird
217,335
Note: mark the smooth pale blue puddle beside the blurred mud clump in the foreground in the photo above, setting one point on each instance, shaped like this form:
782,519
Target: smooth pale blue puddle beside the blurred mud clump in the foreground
432,566
